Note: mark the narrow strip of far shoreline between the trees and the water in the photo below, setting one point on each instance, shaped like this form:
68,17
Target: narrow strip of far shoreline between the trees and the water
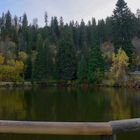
60,84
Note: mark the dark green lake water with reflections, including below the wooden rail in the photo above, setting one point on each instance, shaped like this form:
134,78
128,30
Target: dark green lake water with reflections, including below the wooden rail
55,104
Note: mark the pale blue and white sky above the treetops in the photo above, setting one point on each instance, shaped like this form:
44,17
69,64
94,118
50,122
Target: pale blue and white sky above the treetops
68,9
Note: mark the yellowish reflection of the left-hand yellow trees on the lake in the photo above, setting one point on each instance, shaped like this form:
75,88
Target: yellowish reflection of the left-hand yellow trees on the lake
12,105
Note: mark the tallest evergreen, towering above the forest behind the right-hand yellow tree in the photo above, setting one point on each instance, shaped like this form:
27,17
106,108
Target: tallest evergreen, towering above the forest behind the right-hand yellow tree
123,28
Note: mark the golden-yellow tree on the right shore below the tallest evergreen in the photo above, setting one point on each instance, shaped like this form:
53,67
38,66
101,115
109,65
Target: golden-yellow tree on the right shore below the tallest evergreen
119,67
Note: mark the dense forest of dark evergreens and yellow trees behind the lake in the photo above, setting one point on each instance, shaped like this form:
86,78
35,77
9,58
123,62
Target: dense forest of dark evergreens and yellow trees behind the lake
87,53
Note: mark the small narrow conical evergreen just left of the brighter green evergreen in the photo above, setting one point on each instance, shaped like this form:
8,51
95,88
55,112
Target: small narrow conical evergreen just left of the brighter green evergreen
82,70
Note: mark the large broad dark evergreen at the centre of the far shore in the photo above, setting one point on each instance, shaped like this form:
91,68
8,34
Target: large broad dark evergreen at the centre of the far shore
66,57
